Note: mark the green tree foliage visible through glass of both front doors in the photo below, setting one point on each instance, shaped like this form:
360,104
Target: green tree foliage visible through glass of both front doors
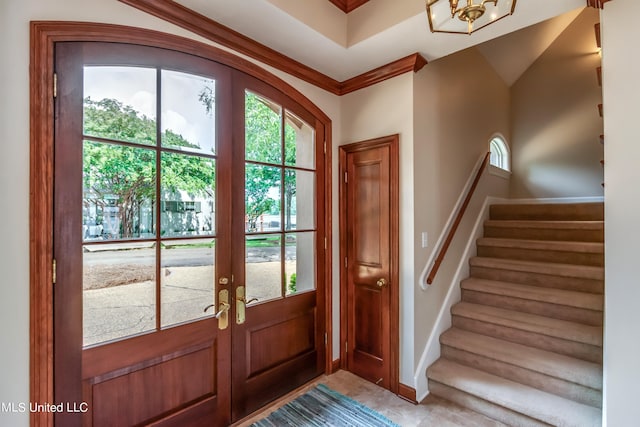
128,174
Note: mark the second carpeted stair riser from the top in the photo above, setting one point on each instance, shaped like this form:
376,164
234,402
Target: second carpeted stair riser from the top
545,234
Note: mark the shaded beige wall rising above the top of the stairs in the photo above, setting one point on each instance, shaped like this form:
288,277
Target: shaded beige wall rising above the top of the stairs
555,122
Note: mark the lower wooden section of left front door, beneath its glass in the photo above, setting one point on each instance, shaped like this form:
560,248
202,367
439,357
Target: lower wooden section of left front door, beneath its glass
164,379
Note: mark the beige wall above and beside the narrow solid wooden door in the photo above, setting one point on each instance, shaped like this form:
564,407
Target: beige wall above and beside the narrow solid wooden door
380,110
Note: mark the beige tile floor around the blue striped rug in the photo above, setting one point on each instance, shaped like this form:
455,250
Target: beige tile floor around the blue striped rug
433,411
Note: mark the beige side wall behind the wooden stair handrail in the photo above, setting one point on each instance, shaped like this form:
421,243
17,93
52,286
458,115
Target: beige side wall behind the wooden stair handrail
455,118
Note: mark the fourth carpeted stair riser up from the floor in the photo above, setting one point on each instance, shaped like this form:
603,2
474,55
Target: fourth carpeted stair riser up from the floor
556,311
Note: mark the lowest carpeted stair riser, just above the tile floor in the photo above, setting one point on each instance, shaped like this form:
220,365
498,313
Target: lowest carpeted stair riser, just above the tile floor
482,406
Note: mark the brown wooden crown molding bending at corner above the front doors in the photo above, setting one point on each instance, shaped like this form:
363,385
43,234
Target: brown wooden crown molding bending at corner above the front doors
190,20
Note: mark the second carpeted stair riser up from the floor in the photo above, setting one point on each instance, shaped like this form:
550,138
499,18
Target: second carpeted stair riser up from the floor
558,386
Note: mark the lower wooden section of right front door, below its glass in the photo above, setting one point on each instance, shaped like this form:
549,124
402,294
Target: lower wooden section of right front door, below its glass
280,351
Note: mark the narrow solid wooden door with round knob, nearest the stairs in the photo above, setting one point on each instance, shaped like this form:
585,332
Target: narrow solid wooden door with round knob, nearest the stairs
369,224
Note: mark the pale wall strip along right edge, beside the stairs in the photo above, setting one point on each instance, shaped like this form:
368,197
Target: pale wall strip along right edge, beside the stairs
621,68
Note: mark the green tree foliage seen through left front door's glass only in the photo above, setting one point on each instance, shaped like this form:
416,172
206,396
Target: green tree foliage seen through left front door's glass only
128,174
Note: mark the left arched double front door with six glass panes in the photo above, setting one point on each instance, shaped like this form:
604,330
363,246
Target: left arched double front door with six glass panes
141,237
